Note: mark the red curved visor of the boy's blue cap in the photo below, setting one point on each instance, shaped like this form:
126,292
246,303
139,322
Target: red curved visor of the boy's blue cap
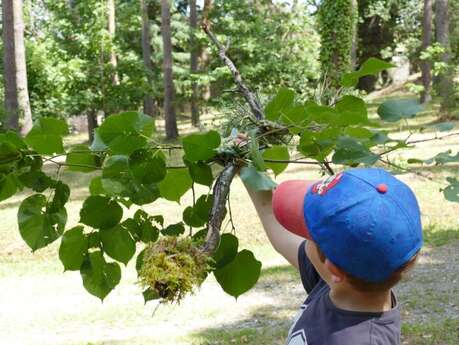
288,202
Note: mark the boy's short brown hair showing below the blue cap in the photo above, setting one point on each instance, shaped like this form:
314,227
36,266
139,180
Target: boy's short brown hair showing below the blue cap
363,285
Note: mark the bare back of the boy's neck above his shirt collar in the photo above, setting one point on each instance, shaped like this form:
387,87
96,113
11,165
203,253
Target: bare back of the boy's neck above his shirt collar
350,299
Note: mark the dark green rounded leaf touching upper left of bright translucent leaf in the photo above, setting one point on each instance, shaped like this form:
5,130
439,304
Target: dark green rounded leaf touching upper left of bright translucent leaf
147,168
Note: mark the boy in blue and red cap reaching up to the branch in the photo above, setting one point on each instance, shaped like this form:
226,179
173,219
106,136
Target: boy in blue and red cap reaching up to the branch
363,231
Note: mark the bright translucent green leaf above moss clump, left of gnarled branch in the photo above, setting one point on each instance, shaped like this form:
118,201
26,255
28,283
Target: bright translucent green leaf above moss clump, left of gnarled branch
176,184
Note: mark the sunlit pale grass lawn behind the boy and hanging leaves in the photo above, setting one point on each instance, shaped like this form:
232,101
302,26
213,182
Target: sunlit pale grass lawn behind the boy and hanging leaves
43,305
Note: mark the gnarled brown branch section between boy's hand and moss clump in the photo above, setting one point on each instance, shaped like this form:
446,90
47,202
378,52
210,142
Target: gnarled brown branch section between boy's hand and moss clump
217,213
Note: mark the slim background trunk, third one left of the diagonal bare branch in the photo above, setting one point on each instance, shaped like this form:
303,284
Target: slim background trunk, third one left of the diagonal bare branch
149,107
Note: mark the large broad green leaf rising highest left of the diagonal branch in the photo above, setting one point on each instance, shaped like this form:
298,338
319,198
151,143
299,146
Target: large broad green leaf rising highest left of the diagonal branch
131,124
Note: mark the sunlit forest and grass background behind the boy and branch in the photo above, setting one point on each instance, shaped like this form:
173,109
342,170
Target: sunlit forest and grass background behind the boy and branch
83,61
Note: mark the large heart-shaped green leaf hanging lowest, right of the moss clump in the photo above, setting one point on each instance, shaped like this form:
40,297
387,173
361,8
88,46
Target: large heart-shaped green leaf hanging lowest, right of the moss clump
240,275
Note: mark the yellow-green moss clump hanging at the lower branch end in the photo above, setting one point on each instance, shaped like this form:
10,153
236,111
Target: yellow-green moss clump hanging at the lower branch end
172,268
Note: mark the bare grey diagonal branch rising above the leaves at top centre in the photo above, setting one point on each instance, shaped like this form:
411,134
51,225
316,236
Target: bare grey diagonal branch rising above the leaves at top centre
250,97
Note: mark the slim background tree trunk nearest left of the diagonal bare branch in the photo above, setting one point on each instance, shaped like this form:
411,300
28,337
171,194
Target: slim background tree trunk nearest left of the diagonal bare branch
194,63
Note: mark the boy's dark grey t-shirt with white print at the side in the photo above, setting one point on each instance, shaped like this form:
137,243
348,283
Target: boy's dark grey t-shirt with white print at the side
320,322
